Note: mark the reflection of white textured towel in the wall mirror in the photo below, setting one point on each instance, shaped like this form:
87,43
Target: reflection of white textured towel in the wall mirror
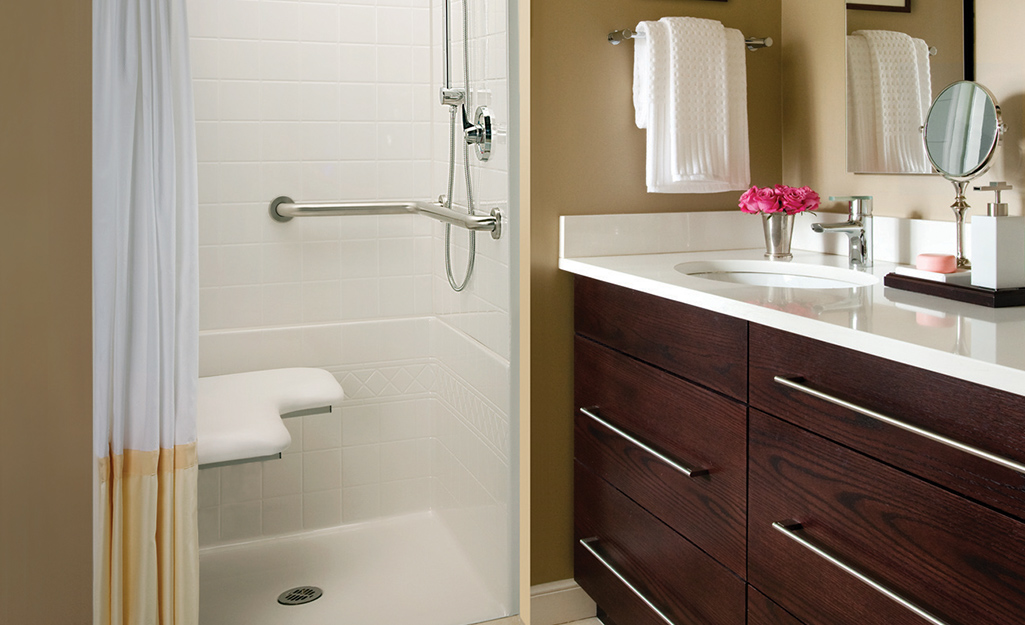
901,79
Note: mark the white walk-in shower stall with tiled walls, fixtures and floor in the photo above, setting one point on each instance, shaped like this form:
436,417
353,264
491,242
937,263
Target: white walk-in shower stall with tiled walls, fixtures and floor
400,506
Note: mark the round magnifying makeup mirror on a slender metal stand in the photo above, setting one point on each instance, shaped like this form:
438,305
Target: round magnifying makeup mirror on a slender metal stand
962,134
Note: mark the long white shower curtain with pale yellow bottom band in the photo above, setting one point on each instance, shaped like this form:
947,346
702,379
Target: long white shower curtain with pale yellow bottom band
145,315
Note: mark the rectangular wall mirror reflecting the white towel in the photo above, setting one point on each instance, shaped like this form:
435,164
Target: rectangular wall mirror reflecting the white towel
897,63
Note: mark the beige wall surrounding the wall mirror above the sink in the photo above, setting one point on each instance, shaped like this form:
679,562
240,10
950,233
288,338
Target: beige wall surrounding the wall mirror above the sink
814,150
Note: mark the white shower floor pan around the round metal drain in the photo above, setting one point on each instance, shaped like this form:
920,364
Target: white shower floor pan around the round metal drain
401,571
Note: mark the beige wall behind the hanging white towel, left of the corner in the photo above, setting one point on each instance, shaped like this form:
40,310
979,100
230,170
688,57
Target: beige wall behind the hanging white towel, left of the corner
588,158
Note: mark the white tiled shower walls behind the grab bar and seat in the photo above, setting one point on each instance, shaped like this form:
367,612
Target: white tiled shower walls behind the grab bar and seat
336,101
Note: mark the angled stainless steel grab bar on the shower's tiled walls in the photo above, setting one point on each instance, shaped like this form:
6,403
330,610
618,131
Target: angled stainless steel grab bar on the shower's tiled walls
284,209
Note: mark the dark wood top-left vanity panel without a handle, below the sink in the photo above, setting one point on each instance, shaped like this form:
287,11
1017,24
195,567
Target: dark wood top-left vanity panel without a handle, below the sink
701,346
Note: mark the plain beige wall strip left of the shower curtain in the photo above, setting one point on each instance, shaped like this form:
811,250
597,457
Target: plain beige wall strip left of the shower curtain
46,313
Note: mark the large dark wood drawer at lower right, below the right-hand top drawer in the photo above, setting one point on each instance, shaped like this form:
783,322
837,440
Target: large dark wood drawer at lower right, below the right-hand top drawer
959,561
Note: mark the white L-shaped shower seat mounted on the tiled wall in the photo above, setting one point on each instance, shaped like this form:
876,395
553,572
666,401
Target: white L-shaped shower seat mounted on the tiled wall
239,416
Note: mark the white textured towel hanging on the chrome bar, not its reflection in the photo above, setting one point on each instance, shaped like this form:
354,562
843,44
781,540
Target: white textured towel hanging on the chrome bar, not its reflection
690,94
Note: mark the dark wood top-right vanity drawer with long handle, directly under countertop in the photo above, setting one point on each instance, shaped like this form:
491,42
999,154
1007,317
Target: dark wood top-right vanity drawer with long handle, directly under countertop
985,419
